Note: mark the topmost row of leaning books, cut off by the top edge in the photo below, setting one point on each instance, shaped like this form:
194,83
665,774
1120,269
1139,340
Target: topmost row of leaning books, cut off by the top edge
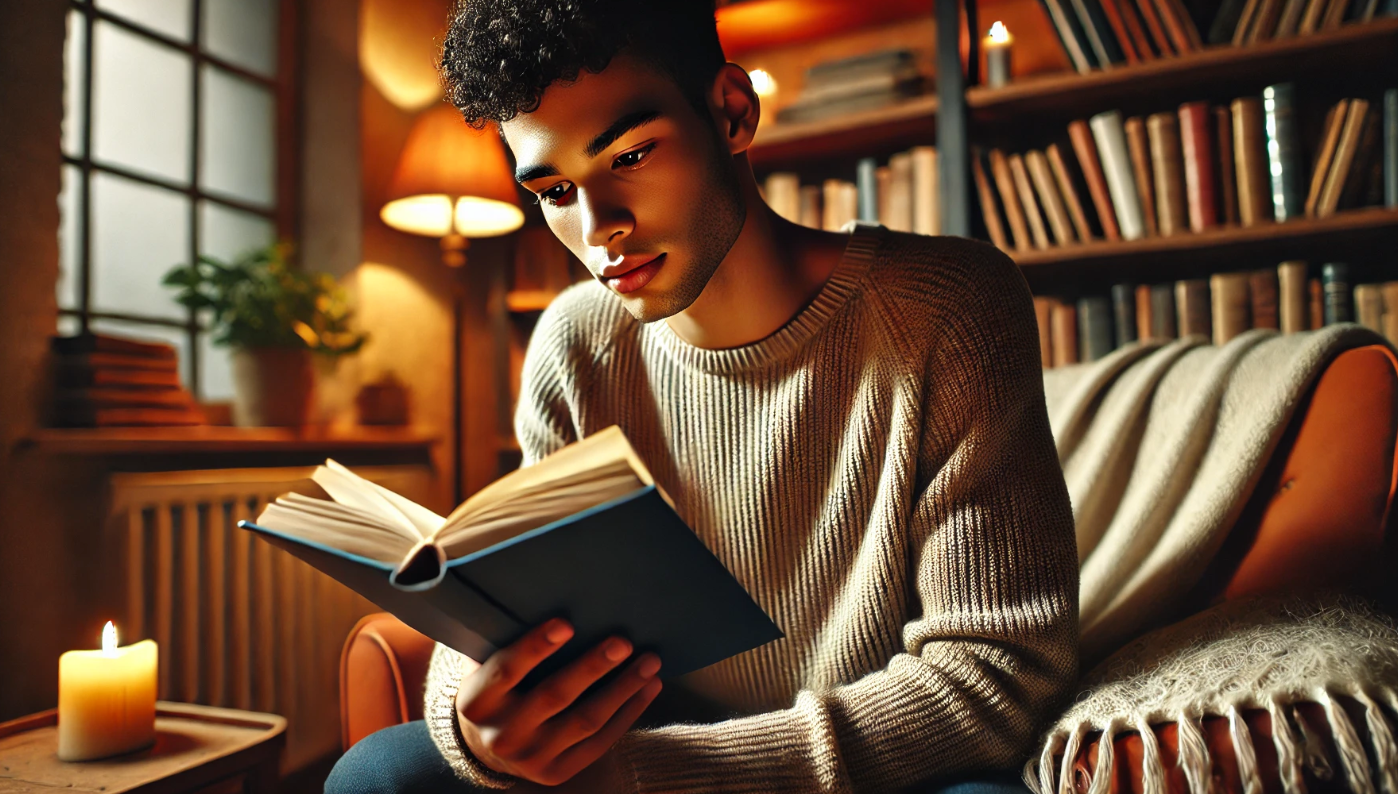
1102,34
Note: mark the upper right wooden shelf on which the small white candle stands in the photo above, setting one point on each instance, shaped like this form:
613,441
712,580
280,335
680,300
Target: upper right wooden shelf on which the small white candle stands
1217,73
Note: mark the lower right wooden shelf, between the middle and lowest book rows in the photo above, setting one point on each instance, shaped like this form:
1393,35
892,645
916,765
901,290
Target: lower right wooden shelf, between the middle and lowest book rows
1234,248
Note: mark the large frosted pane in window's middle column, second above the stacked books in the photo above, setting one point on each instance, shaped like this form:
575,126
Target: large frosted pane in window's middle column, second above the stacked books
140,104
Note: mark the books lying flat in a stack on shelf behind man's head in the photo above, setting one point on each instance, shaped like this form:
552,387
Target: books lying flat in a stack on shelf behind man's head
853,86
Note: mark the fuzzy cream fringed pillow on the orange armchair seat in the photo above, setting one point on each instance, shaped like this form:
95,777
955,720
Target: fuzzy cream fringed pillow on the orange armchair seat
1266,654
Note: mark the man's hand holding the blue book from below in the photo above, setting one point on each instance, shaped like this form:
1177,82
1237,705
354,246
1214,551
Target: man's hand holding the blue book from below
547,735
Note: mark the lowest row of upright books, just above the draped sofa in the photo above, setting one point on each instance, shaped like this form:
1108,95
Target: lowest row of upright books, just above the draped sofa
1221,308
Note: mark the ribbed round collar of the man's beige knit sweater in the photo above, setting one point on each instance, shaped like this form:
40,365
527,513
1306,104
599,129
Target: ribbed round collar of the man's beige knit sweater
845,283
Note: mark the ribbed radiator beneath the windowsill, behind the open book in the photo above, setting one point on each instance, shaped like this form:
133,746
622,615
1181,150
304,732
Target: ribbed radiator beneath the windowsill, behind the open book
238,623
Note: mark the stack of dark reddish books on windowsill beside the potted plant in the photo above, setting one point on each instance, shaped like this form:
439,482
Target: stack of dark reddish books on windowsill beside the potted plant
104,382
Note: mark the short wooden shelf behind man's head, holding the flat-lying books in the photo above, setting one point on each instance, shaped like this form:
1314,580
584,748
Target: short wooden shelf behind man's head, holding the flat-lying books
859,135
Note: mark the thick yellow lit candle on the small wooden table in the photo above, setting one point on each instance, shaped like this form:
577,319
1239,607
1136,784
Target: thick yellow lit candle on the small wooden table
107,700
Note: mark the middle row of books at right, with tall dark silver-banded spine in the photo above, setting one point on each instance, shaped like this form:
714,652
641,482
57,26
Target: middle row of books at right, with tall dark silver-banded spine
1188,171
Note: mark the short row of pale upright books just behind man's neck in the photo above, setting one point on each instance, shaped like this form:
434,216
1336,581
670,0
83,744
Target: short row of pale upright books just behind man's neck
901,195
